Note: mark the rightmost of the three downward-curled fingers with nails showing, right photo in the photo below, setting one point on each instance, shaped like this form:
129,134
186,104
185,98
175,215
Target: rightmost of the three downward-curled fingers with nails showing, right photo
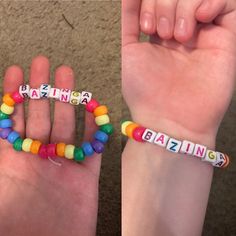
185,22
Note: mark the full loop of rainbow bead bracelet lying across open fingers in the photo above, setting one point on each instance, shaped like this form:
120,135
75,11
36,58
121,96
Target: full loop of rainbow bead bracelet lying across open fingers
68,151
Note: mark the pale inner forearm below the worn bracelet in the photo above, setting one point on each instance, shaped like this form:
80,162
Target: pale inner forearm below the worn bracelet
163,193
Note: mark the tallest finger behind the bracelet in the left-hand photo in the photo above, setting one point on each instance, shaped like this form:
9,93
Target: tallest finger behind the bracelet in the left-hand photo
38,123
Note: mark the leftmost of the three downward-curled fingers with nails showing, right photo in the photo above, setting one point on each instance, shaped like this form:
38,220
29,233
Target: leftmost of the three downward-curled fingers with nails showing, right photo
148,17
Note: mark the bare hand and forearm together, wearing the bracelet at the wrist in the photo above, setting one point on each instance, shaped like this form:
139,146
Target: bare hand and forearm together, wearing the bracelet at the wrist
179,83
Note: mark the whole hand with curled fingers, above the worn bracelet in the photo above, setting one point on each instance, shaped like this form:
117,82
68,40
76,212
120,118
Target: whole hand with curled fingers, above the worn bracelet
181,90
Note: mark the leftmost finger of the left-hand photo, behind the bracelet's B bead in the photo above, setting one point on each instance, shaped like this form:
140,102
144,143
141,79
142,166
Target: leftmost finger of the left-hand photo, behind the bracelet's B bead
12,80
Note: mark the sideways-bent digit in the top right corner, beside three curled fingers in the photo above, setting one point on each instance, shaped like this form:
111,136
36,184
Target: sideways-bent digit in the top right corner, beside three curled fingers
222,12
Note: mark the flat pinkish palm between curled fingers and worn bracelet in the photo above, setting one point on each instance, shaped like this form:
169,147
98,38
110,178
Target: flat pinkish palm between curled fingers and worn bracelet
183,85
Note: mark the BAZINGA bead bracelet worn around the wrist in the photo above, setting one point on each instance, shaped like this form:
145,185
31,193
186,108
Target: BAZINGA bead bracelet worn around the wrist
142,134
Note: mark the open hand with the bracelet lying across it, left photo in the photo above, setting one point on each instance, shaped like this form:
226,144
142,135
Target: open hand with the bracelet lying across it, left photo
38,197
